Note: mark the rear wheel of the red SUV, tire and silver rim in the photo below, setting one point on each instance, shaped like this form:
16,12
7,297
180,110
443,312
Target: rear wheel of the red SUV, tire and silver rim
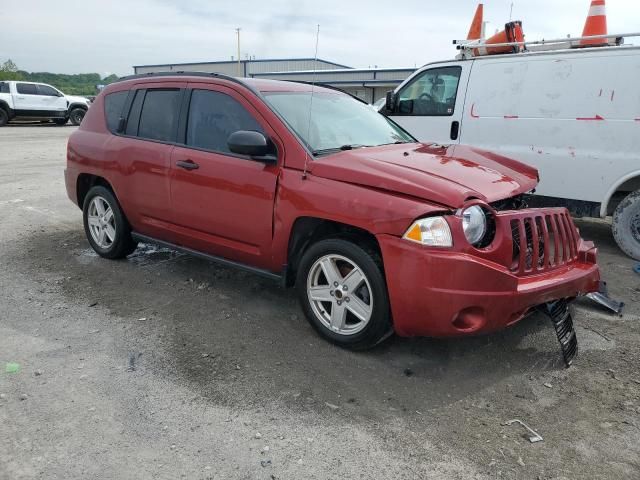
105,225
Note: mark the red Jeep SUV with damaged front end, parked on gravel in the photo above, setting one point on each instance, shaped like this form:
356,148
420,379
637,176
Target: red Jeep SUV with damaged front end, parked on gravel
378,233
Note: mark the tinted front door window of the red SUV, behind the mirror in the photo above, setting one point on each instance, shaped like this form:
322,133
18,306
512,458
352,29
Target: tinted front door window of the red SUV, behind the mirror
213,116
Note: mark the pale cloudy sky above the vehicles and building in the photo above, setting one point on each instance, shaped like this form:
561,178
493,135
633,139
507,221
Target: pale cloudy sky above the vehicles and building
111,36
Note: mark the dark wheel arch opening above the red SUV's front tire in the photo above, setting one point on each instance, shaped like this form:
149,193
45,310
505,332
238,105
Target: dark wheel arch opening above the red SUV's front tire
307,230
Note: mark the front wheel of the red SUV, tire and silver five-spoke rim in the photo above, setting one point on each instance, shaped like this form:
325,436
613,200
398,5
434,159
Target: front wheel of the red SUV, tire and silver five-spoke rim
343,293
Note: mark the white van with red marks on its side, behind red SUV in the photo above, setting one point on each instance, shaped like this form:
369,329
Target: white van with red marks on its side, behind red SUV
572,113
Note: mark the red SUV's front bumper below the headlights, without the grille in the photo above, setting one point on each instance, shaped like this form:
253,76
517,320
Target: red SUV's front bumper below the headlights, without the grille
442,293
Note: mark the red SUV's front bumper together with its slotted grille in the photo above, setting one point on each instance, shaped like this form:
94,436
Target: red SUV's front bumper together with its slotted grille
537,257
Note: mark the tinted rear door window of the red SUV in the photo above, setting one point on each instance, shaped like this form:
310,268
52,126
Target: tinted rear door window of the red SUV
159,116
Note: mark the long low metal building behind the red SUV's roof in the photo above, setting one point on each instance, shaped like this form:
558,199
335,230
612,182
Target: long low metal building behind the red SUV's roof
368,84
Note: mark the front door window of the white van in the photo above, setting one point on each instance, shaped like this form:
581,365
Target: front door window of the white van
432,93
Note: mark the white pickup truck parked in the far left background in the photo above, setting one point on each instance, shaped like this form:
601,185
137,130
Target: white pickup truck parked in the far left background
38,101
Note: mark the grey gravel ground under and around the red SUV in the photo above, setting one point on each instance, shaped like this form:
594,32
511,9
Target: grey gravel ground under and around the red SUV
165,366
